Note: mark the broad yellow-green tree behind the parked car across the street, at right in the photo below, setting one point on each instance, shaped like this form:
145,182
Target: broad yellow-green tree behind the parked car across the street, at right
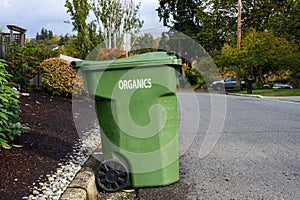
262,55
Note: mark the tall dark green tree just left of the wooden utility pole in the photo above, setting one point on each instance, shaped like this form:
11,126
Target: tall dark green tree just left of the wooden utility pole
205,21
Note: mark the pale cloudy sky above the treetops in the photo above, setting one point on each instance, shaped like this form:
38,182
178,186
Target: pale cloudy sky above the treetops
33,15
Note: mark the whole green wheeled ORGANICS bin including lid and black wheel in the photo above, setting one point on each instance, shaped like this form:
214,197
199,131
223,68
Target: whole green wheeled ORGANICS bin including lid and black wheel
137,110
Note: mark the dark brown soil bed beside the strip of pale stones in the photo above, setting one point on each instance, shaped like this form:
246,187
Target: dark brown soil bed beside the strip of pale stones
51,137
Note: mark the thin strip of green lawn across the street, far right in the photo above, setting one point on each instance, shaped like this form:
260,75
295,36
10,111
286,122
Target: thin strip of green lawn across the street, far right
274,92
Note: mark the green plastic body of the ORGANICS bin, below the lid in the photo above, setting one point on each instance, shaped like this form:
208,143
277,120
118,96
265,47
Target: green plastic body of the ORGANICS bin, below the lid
139,121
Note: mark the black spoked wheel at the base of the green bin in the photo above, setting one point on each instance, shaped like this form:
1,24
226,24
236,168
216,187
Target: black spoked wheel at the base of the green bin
112,175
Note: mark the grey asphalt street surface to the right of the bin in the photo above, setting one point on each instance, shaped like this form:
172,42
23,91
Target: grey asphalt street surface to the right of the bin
254,156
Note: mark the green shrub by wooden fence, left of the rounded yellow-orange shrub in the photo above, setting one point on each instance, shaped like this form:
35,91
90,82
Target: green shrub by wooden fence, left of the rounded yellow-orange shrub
24,62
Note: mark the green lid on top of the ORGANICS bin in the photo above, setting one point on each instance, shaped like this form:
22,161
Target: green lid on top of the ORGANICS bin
141,60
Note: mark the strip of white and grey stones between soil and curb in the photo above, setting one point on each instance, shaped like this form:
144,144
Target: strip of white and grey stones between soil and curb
58,181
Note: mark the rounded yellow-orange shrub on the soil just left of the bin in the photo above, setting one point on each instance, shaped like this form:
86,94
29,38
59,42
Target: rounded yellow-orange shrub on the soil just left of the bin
59,77
